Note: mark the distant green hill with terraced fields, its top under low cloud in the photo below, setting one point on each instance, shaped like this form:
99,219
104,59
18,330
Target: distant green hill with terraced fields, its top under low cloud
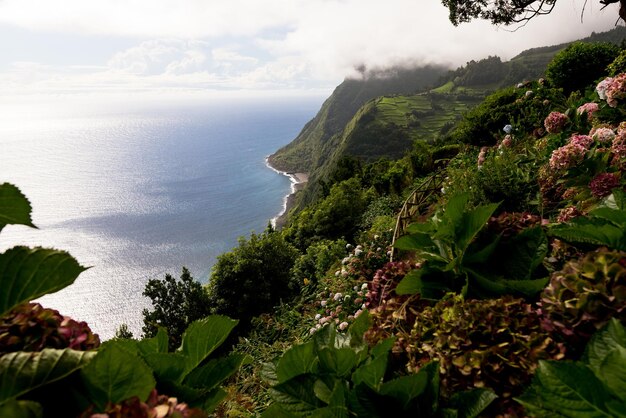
382,115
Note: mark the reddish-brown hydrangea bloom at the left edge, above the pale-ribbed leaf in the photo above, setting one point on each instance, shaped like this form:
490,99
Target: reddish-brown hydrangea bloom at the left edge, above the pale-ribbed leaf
31,327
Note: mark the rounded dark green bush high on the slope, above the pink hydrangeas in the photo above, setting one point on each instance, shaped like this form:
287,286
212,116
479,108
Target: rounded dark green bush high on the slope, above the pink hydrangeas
580,64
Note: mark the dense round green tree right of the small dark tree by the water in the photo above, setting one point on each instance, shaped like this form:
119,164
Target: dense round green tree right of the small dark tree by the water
253,277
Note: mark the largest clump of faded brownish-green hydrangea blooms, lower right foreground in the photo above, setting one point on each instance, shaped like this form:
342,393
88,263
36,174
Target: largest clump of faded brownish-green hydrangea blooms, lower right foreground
493,343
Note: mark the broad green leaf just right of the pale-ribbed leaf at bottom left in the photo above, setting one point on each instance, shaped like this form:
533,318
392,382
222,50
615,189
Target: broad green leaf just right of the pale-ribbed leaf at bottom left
115,375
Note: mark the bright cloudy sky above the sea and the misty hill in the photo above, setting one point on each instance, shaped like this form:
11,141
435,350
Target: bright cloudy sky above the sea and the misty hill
249,46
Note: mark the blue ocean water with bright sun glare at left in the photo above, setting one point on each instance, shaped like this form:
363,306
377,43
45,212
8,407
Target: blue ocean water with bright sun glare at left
137,189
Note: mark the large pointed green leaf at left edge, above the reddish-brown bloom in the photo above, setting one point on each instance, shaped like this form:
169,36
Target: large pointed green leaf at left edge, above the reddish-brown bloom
27,273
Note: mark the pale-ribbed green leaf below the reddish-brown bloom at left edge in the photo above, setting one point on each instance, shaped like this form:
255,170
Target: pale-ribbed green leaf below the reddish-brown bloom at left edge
21,372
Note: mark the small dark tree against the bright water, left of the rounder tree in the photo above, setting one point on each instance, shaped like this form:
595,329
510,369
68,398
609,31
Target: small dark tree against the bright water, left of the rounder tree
176,304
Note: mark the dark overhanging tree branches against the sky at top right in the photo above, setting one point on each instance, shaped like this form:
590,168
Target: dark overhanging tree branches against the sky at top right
508,11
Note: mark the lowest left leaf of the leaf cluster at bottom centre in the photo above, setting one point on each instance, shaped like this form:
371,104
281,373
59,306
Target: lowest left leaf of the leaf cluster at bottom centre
296,395
